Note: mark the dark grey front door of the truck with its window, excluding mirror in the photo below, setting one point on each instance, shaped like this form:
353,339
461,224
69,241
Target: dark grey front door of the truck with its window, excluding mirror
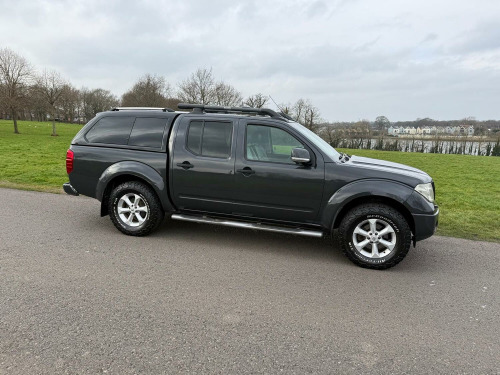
268,184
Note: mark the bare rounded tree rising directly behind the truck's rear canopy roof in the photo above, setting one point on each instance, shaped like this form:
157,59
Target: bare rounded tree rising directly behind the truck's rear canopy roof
148,91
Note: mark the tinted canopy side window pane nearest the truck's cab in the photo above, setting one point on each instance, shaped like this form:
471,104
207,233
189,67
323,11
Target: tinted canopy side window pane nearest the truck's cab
147,132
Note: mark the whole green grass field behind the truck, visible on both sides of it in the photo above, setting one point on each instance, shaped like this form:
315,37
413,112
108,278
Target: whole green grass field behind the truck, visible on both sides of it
467,187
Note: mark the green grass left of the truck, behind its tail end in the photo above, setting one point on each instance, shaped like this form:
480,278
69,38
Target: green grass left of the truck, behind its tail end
34,160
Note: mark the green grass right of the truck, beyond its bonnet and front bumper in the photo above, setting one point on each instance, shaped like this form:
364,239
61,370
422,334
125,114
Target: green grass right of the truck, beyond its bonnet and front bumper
467,190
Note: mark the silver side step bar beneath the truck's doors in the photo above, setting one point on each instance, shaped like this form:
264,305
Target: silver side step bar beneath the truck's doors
240,224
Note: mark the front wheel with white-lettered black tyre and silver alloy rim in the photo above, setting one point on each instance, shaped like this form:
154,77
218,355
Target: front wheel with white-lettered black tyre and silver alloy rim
392,236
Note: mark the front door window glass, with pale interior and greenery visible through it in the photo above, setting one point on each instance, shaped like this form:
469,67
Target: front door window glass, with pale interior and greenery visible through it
265,143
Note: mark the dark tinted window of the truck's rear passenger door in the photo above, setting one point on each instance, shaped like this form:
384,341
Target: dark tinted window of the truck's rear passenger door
210,138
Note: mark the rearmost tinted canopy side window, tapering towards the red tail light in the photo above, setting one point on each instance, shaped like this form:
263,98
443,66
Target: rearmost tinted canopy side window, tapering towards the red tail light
113,130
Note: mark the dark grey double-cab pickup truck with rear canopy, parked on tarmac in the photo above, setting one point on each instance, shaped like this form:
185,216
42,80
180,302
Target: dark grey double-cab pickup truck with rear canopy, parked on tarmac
249,168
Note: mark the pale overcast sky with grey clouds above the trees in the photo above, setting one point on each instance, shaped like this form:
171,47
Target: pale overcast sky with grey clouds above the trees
353,59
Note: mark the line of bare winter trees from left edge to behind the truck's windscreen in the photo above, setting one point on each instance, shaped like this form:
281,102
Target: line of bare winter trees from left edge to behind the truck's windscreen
28,94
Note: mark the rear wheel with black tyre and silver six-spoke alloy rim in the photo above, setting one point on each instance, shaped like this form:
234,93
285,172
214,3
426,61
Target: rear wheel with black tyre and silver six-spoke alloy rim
134,208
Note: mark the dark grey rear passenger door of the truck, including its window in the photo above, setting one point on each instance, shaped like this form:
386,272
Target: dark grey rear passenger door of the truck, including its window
203,164
